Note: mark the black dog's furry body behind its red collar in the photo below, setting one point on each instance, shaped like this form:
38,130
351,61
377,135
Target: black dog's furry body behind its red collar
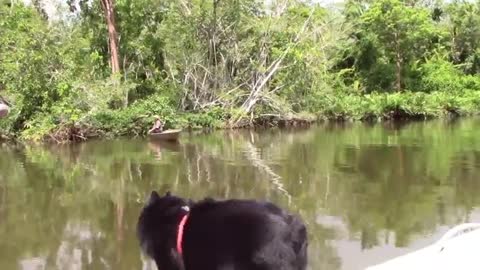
255,235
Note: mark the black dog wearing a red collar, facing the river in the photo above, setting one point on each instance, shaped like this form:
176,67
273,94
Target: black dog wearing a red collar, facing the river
221,235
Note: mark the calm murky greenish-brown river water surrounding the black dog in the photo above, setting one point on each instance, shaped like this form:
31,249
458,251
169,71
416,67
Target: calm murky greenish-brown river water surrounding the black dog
368,193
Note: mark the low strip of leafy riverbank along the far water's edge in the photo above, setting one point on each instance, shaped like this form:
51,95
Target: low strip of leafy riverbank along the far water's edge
136,119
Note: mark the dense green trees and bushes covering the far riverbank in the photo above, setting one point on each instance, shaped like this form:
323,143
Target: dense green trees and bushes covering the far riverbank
226,63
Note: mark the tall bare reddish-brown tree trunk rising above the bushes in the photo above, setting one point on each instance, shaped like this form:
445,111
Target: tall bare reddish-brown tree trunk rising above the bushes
108,7
